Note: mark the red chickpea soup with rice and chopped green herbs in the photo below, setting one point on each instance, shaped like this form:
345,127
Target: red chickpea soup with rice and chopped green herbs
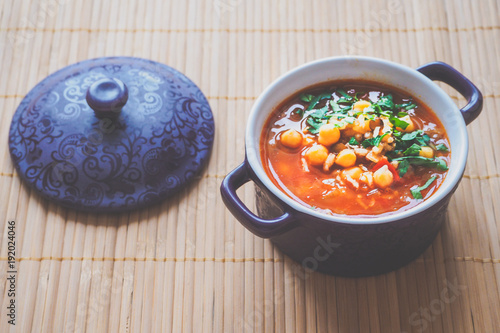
355,149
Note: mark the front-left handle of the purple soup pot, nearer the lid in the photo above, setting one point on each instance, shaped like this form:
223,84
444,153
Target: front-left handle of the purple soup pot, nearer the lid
260,227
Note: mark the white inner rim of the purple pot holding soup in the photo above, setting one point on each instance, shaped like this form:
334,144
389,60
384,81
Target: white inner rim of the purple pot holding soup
454,175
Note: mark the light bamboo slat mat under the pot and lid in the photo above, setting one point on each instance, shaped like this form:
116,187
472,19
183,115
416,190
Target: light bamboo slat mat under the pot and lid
187,264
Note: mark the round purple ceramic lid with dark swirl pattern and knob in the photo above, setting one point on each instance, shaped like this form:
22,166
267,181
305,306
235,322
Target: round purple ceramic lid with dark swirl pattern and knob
111,134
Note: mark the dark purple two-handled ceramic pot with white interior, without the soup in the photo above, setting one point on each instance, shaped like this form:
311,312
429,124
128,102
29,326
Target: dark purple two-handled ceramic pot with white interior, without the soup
349,245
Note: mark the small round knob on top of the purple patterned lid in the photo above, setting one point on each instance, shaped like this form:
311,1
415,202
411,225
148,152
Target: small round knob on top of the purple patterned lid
107,97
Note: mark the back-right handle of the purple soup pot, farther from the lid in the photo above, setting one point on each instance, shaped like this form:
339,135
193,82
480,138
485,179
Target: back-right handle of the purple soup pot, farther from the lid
443,72
